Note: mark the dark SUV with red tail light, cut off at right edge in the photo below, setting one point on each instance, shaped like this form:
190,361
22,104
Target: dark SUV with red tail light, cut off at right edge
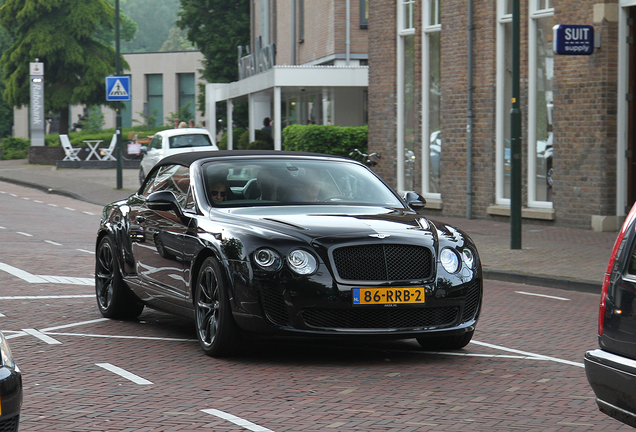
611,370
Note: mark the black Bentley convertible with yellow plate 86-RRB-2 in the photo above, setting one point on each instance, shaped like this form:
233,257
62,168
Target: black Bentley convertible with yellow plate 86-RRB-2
285,243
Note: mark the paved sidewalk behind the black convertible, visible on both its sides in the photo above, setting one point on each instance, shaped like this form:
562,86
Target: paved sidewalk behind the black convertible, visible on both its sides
550,256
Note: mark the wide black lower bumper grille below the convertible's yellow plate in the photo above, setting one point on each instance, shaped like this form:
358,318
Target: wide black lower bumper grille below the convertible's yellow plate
399,319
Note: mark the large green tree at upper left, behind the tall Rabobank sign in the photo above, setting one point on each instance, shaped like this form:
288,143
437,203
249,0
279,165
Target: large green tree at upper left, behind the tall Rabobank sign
62,35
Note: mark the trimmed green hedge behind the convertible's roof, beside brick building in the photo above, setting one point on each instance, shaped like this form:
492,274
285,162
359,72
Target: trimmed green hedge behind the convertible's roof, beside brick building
333,140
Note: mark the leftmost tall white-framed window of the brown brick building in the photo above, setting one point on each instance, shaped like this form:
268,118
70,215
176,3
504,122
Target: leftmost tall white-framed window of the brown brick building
406,112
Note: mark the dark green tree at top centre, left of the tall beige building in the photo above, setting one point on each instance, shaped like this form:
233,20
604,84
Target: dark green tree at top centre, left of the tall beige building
217,28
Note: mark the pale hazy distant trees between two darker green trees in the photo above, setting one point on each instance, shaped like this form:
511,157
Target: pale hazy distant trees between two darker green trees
154,19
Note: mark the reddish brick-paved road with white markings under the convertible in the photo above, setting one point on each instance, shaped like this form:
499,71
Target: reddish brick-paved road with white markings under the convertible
522,372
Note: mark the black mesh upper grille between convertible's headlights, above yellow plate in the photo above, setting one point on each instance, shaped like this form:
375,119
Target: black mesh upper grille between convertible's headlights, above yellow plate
383,262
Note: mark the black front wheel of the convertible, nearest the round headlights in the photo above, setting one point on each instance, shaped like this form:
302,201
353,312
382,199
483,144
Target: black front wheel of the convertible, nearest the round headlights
217,332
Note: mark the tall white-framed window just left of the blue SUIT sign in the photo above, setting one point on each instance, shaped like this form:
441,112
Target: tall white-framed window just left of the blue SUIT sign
540,106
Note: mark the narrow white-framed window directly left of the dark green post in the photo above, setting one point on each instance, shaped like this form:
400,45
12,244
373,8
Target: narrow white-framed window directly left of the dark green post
504,101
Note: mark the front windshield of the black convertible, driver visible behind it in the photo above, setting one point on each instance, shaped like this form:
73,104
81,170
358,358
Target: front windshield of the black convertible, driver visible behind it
289,181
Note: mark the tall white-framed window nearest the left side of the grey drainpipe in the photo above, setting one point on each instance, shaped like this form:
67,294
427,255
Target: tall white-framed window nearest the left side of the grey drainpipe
431,99
